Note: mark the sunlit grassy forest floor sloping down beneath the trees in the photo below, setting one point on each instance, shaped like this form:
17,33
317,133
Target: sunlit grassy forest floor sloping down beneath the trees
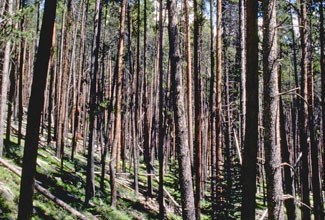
68,183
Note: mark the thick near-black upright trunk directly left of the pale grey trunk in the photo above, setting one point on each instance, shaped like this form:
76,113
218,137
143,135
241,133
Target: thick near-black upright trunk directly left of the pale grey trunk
251,129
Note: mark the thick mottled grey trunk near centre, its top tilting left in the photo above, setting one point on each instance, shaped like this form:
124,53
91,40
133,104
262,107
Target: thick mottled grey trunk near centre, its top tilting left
184,160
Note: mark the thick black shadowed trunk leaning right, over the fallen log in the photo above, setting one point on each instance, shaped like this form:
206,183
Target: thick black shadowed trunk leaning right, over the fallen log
25,207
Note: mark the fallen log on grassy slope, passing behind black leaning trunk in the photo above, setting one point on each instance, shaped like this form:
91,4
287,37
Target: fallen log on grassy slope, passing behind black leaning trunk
46,193
